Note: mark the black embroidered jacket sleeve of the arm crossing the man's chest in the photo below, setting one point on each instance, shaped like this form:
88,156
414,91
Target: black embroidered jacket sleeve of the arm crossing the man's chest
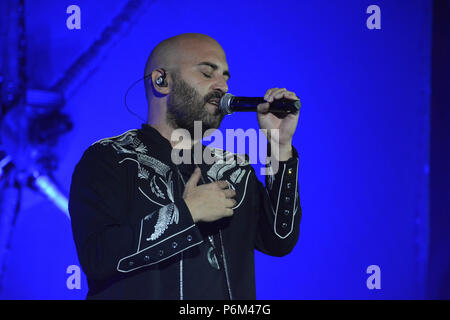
112,240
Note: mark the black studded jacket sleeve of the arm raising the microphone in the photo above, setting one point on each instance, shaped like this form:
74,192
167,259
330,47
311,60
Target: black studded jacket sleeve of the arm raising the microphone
280,210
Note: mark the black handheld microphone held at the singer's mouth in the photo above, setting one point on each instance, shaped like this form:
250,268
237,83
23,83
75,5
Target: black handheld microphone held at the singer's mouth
229,104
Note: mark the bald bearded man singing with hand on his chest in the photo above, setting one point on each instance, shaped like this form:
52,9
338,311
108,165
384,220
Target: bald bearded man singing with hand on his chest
147,228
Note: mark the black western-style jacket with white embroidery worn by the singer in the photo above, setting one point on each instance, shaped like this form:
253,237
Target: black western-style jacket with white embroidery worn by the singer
136,238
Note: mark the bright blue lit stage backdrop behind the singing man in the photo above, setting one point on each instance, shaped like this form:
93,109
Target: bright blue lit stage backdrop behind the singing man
362,135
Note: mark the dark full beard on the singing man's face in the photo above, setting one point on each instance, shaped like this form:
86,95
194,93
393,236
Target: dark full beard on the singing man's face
185,105
